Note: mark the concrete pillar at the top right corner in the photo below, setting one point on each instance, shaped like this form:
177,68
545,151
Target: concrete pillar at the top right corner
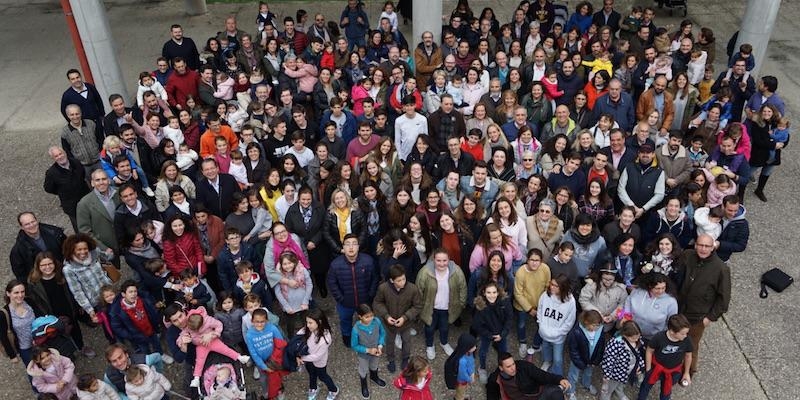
757,25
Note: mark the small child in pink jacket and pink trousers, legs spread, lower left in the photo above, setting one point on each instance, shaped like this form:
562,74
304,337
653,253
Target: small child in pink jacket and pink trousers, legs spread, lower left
204,331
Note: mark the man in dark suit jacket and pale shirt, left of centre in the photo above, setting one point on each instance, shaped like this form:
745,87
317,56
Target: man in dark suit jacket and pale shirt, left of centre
216,190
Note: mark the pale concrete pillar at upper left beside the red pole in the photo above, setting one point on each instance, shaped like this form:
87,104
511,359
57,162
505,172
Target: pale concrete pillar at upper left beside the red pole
90,16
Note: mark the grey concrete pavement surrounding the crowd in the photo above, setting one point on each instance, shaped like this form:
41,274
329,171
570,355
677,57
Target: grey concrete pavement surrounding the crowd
750,354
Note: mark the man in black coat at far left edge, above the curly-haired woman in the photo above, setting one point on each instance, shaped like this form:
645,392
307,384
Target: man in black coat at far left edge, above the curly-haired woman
32,239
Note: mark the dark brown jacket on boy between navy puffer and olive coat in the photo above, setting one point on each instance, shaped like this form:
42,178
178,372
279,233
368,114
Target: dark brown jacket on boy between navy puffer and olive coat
390,302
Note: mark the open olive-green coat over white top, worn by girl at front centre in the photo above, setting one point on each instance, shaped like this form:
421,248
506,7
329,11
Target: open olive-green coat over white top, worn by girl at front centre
426,282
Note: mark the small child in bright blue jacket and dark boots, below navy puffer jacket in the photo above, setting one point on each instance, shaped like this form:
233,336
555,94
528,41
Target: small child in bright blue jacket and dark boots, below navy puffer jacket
367,340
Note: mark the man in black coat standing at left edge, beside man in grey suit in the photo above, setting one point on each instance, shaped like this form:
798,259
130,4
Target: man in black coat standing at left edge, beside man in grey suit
66,178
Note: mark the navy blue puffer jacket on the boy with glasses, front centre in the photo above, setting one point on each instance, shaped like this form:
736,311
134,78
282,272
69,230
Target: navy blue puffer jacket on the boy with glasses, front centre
353,284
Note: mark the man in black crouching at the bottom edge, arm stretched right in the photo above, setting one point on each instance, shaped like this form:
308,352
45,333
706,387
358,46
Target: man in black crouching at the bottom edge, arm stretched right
520,379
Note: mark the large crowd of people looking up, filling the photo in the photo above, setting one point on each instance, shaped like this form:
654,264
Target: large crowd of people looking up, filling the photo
569,181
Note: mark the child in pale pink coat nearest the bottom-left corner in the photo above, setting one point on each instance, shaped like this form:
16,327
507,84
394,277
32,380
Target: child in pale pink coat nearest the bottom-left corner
52,373
